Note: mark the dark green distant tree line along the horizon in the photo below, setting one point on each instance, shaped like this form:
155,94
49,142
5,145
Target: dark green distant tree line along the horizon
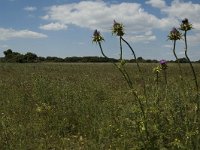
15,57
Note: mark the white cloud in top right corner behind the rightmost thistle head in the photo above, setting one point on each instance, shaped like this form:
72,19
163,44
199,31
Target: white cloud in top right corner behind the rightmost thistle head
177,11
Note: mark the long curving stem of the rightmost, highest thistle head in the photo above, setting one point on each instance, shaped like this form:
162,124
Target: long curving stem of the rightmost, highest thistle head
191,66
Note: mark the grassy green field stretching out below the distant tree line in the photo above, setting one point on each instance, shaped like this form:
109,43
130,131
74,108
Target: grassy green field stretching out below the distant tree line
90,106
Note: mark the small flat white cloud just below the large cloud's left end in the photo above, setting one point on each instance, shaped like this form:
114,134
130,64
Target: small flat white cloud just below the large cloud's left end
54,26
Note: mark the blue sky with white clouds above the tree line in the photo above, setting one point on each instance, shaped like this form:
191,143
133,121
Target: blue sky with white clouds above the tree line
64,28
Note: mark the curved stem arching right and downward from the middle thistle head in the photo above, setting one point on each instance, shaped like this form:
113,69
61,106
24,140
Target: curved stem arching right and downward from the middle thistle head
144,86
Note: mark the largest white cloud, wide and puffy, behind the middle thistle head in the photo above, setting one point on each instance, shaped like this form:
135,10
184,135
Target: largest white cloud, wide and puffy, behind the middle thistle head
100,15
